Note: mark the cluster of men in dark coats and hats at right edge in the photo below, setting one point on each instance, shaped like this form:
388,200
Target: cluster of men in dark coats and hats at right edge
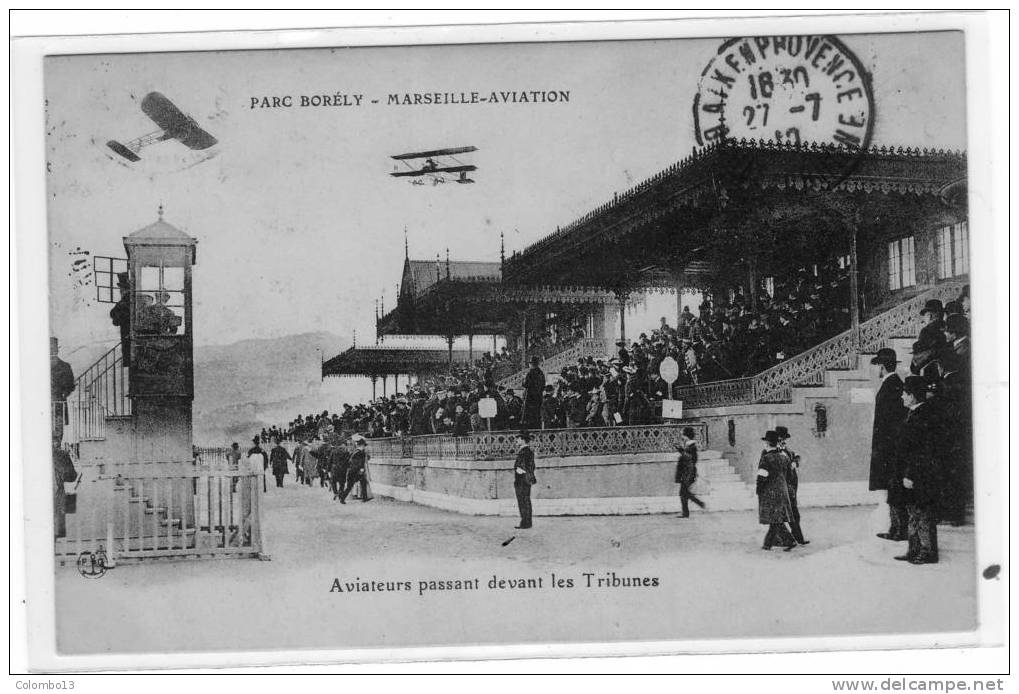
922,451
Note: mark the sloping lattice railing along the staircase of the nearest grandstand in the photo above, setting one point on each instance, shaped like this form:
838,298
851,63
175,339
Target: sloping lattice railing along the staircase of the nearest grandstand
808,368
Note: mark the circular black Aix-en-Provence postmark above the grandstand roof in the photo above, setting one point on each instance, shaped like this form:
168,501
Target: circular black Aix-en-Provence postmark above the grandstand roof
789,90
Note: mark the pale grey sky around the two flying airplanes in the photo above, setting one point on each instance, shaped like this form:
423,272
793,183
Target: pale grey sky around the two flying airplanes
300,228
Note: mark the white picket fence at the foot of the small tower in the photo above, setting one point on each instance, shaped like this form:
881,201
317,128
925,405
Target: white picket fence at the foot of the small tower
166,510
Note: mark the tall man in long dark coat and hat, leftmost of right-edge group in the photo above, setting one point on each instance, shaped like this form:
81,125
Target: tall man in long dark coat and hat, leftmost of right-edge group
889,416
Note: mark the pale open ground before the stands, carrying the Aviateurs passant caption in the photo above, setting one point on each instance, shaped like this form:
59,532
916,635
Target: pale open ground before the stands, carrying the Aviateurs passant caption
709,579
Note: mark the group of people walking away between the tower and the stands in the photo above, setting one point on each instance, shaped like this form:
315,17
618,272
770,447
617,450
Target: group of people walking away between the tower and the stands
336,462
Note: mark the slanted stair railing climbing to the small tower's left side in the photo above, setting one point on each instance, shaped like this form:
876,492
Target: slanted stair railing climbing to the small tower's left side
100,392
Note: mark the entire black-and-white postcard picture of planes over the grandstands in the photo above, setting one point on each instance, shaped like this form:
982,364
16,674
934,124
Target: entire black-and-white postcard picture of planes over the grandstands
494,344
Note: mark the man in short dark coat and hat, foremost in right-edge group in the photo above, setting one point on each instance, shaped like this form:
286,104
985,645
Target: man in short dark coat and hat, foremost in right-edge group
919,469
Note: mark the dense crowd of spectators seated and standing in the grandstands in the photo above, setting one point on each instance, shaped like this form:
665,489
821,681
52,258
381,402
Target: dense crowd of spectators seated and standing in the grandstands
728,338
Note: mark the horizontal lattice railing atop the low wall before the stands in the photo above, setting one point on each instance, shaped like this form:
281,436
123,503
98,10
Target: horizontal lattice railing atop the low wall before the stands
499,446
